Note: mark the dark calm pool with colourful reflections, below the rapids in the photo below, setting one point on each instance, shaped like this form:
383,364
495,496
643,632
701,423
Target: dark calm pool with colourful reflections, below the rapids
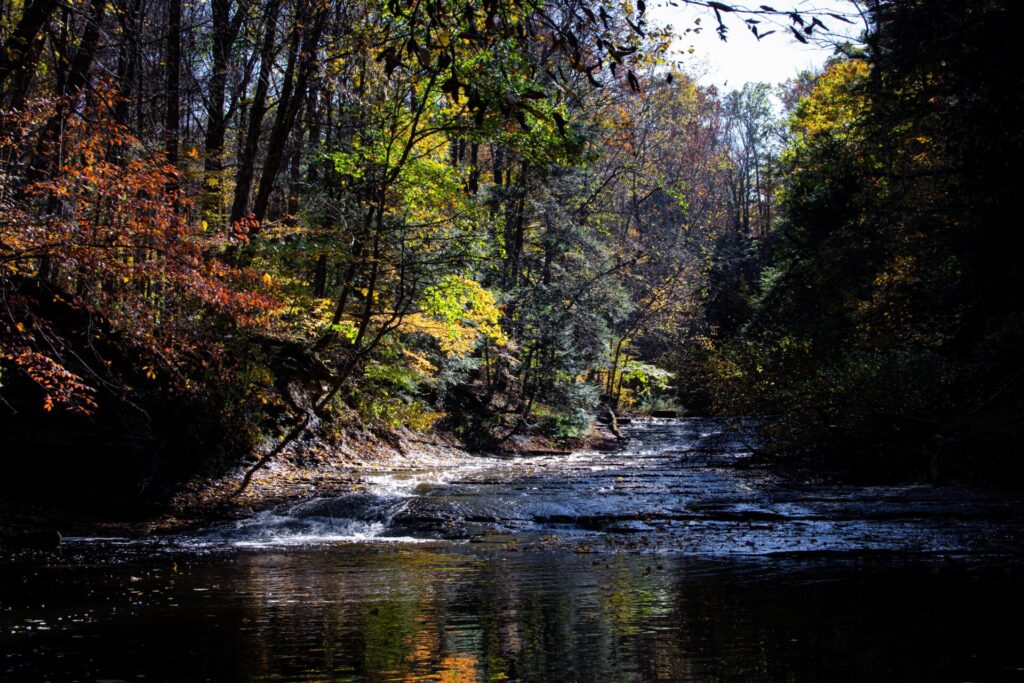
452,614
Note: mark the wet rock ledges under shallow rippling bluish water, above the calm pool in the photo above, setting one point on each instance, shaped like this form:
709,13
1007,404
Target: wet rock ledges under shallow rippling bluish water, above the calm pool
670,485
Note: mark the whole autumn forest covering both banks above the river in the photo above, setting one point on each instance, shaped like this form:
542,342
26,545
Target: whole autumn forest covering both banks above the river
233,229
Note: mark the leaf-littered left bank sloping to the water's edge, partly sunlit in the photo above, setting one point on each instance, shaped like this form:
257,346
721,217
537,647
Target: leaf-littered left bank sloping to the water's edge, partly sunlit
312,467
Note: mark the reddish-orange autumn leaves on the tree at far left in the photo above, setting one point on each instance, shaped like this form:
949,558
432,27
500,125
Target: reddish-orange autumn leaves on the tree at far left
104,224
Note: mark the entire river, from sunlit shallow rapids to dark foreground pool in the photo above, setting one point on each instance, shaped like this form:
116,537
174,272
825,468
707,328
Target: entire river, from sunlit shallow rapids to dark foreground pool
670,560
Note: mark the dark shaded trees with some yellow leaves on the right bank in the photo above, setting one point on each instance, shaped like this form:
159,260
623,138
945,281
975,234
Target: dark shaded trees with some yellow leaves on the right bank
880,328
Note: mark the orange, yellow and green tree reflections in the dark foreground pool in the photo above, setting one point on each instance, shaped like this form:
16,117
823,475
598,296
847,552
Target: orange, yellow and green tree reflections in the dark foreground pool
415,616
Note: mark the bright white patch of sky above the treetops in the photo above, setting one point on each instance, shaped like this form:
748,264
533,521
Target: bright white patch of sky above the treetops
743,59
